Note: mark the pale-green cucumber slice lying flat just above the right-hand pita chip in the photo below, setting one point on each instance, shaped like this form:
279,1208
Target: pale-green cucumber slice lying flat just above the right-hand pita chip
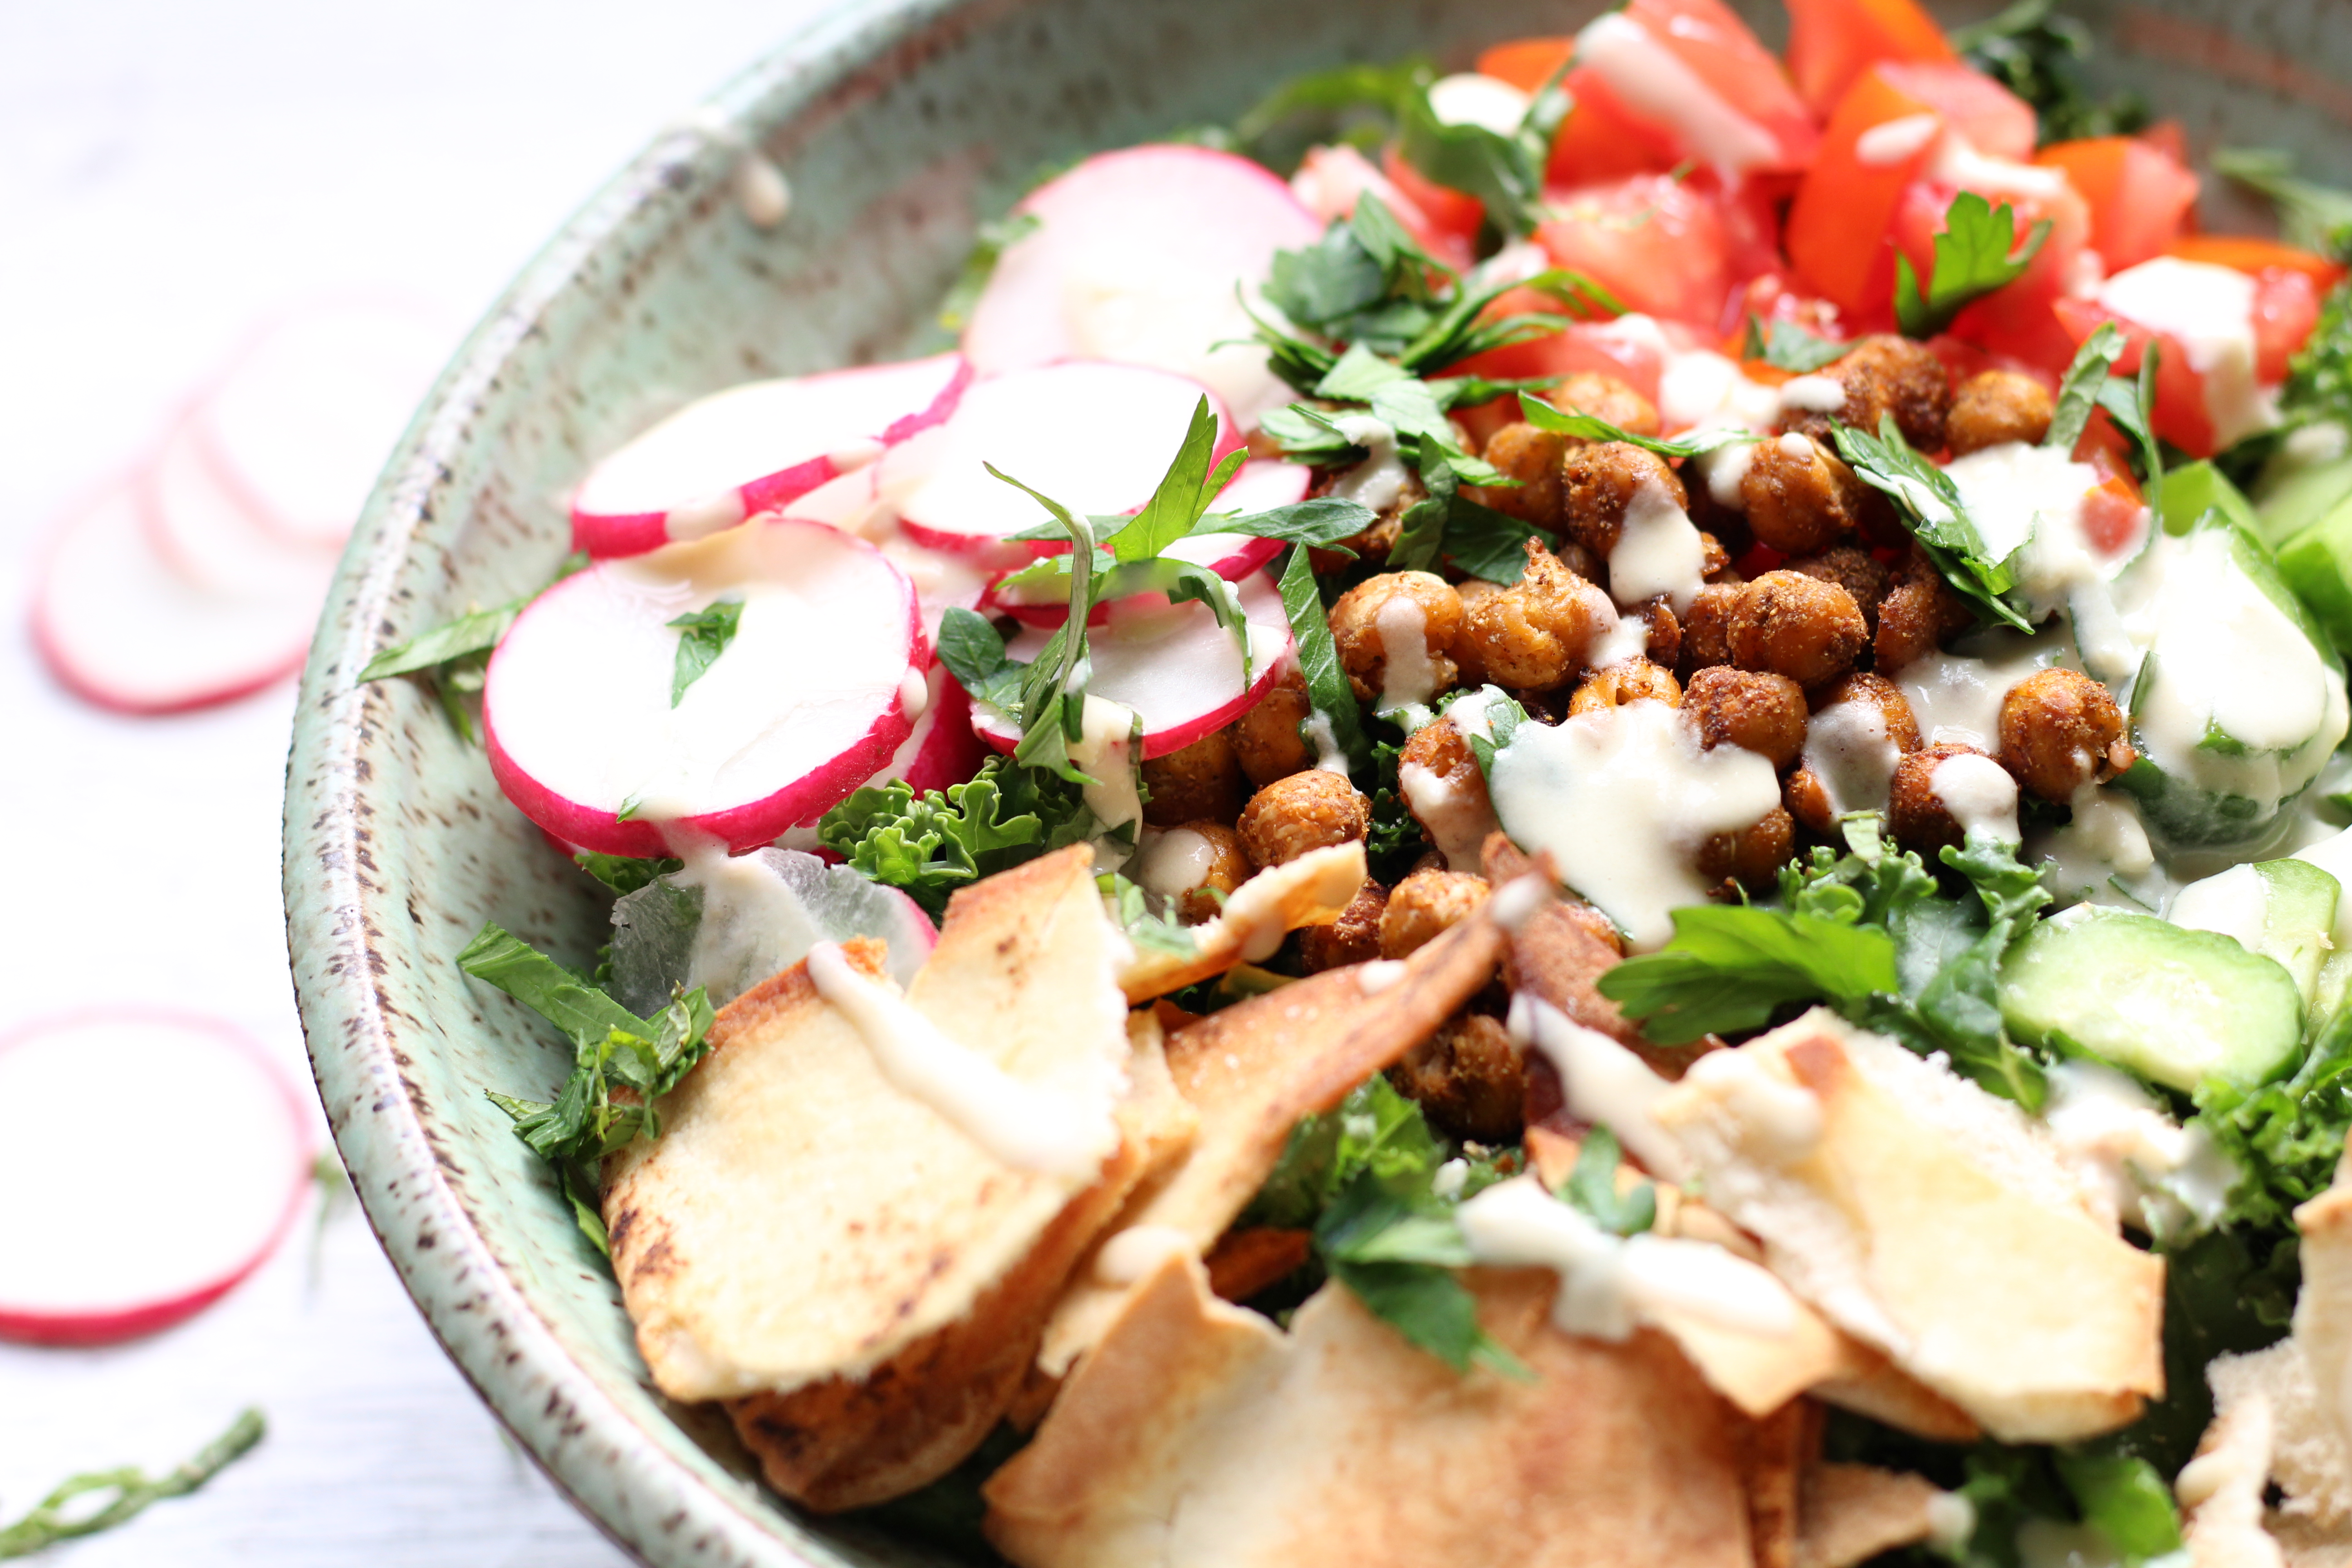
2165,1003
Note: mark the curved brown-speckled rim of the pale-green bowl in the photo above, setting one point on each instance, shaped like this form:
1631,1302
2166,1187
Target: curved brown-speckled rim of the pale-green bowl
643,1499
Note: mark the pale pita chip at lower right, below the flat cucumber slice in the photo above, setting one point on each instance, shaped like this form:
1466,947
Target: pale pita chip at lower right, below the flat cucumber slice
1935,1226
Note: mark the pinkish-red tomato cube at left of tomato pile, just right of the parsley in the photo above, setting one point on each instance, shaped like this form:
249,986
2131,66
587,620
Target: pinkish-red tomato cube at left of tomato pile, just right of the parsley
1652,241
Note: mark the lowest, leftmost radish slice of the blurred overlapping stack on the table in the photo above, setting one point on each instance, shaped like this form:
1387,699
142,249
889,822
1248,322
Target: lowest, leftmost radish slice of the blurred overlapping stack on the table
123,631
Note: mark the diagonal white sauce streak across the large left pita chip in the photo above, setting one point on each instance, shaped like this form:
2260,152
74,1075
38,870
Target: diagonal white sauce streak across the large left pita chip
1055,1130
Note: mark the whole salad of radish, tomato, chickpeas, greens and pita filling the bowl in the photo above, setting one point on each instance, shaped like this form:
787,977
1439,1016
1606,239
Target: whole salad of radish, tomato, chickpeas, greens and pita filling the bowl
1603,824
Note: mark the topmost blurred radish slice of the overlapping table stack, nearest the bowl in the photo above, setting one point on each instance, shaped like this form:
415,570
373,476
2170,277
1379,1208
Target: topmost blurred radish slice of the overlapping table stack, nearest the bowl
307,415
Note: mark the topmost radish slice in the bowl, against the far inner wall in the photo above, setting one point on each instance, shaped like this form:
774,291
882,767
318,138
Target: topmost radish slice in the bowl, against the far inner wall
1085,286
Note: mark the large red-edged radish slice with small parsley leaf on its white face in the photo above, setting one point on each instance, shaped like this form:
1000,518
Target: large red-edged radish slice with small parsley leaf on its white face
815,692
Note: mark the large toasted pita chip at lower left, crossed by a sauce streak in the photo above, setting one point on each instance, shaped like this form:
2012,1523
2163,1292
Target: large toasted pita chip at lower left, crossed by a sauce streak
829,1252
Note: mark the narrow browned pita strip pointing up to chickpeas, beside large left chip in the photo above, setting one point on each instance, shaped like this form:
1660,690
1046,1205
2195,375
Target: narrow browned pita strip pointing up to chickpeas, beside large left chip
1252,1071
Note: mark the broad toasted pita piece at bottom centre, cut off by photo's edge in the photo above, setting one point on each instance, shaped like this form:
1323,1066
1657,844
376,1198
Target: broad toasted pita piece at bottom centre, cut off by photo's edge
1198,1435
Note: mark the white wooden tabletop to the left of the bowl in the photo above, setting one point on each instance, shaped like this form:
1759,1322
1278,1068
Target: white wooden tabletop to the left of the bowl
168,175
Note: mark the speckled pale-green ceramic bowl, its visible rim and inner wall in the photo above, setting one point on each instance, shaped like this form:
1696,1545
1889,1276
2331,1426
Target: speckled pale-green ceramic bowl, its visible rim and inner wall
900,126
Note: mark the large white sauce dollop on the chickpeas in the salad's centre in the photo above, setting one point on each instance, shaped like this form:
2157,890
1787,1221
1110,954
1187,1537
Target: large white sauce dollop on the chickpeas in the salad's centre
1624,798
